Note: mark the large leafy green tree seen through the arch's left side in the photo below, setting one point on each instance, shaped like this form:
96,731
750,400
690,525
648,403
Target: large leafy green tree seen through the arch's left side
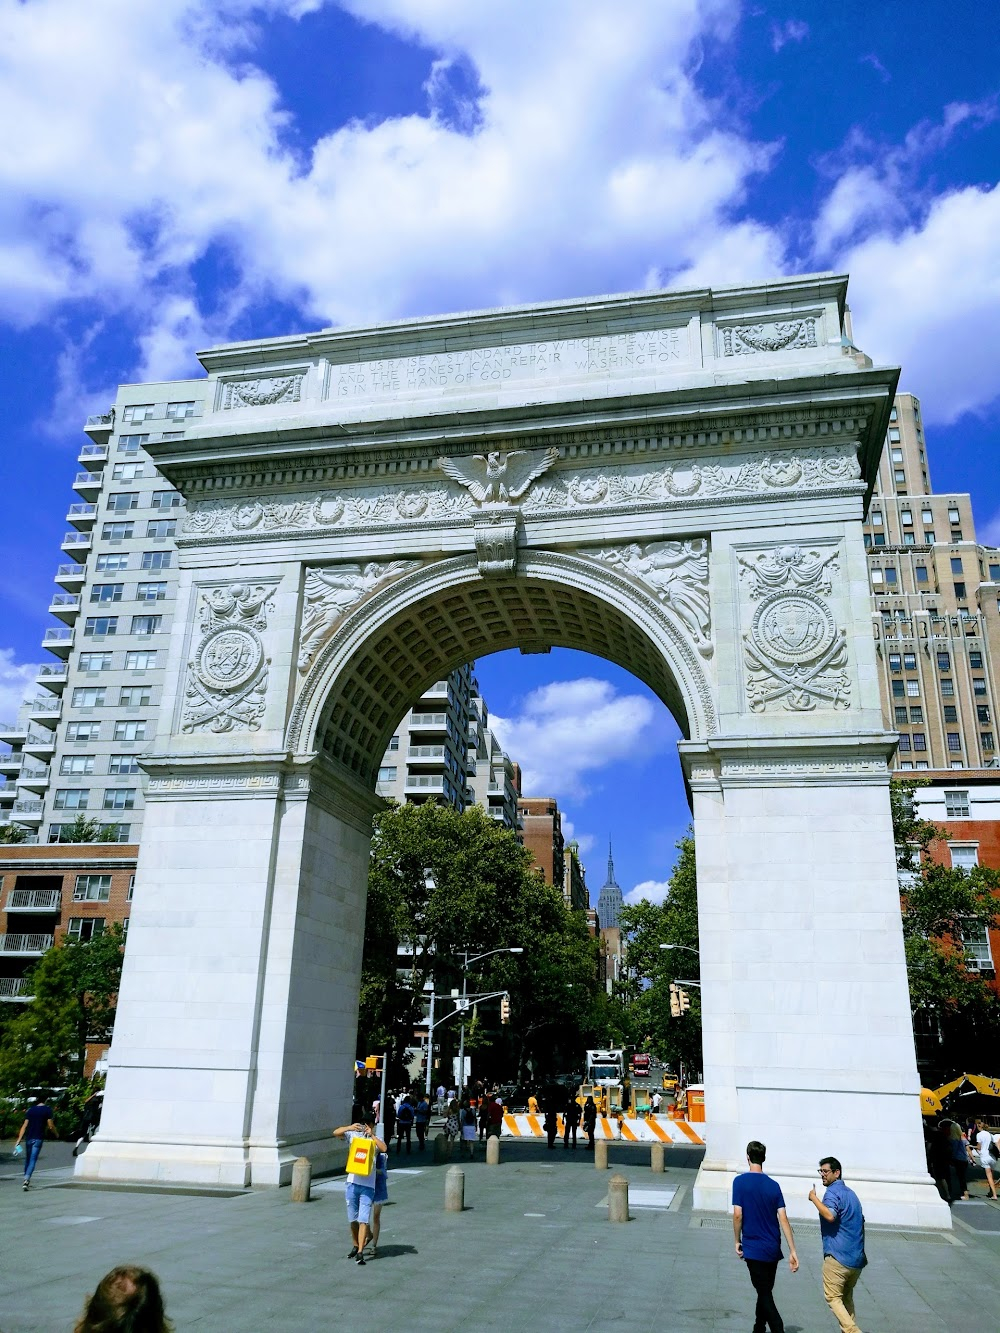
482,894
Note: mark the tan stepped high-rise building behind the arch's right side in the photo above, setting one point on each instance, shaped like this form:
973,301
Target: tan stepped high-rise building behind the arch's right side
937,595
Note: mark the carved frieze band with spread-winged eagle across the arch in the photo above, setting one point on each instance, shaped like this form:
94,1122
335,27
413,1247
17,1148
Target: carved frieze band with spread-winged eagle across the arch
501,479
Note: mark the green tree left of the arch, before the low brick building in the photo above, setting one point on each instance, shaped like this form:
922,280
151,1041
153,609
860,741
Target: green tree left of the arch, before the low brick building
75,992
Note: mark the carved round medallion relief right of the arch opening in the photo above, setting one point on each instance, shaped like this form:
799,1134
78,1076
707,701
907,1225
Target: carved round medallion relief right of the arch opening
794,651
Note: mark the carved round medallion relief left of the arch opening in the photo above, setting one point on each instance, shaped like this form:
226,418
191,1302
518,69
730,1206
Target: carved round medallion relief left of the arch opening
229,675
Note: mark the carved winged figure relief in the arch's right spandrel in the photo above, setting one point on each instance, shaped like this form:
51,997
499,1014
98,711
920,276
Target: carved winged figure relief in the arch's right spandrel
678,575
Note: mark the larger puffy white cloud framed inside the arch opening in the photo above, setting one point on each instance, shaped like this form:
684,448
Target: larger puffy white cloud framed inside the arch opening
567,732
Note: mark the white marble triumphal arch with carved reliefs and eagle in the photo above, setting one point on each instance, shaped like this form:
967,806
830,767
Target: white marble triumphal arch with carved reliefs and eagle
673,481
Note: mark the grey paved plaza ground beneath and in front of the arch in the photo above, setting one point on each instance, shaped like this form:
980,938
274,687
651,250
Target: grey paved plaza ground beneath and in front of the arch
533,1251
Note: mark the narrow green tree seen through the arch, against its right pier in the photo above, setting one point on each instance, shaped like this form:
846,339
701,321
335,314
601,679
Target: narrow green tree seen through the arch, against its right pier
651,970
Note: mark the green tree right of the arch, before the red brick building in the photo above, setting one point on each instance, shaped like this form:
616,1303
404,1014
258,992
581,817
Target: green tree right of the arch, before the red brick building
942,907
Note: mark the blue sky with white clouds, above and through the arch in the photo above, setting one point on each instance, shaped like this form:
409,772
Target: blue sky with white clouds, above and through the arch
193,171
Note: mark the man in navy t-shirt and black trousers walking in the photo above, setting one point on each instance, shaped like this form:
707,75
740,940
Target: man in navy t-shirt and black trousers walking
759,1211
